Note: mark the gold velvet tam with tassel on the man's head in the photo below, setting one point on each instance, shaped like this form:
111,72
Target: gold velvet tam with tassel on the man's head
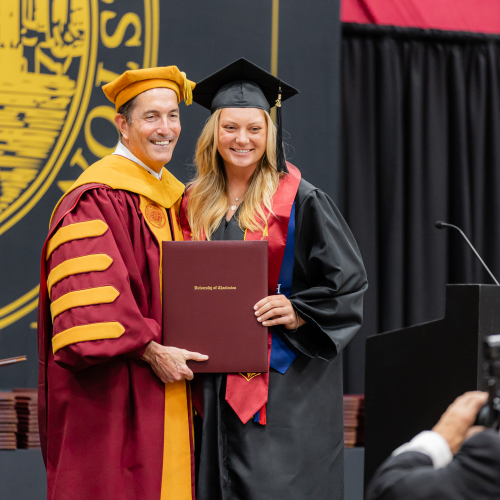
134,82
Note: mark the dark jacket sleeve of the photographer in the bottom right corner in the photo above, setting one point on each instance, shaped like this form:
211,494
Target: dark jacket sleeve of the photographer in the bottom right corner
473,474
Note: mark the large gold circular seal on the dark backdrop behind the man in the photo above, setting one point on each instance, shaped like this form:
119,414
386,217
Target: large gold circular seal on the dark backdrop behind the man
56,55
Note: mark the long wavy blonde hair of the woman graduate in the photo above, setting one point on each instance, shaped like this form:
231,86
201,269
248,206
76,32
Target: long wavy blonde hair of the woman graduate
208,199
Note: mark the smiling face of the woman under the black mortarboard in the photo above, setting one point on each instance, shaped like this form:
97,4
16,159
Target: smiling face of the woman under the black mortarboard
242,137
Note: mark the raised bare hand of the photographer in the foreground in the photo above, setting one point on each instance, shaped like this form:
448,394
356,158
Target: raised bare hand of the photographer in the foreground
455,423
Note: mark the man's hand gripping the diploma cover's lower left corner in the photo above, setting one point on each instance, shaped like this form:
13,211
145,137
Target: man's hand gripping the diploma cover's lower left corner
169,363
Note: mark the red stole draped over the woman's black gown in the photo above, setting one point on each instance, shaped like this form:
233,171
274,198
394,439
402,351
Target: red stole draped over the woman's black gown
247,392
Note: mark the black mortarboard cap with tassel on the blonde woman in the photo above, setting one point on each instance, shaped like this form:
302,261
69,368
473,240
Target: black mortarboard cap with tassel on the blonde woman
242,84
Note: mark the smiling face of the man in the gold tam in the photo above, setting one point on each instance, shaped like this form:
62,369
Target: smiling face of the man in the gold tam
154,127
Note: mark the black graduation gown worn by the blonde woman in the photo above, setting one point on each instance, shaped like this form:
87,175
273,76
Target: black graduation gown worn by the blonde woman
299,453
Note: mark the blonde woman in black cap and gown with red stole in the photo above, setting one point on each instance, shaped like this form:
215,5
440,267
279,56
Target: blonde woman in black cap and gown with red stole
276,435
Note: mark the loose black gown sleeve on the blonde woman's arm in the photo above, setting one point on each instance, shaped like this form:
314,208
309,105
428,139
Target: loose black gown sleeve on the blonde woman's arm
329,278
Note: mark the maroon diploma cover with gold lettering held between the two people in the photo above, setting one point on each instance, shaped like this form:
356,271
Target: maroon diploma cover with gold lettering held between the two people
209,290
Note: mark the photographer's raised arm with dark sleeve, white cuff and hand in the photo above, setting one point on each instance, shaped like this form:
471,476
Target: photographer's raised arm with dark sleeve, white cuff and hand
426,469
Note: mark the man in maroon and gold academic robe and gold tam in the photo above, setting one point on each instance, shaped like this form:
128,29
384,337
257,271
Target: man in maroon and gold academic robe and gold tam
114,404
